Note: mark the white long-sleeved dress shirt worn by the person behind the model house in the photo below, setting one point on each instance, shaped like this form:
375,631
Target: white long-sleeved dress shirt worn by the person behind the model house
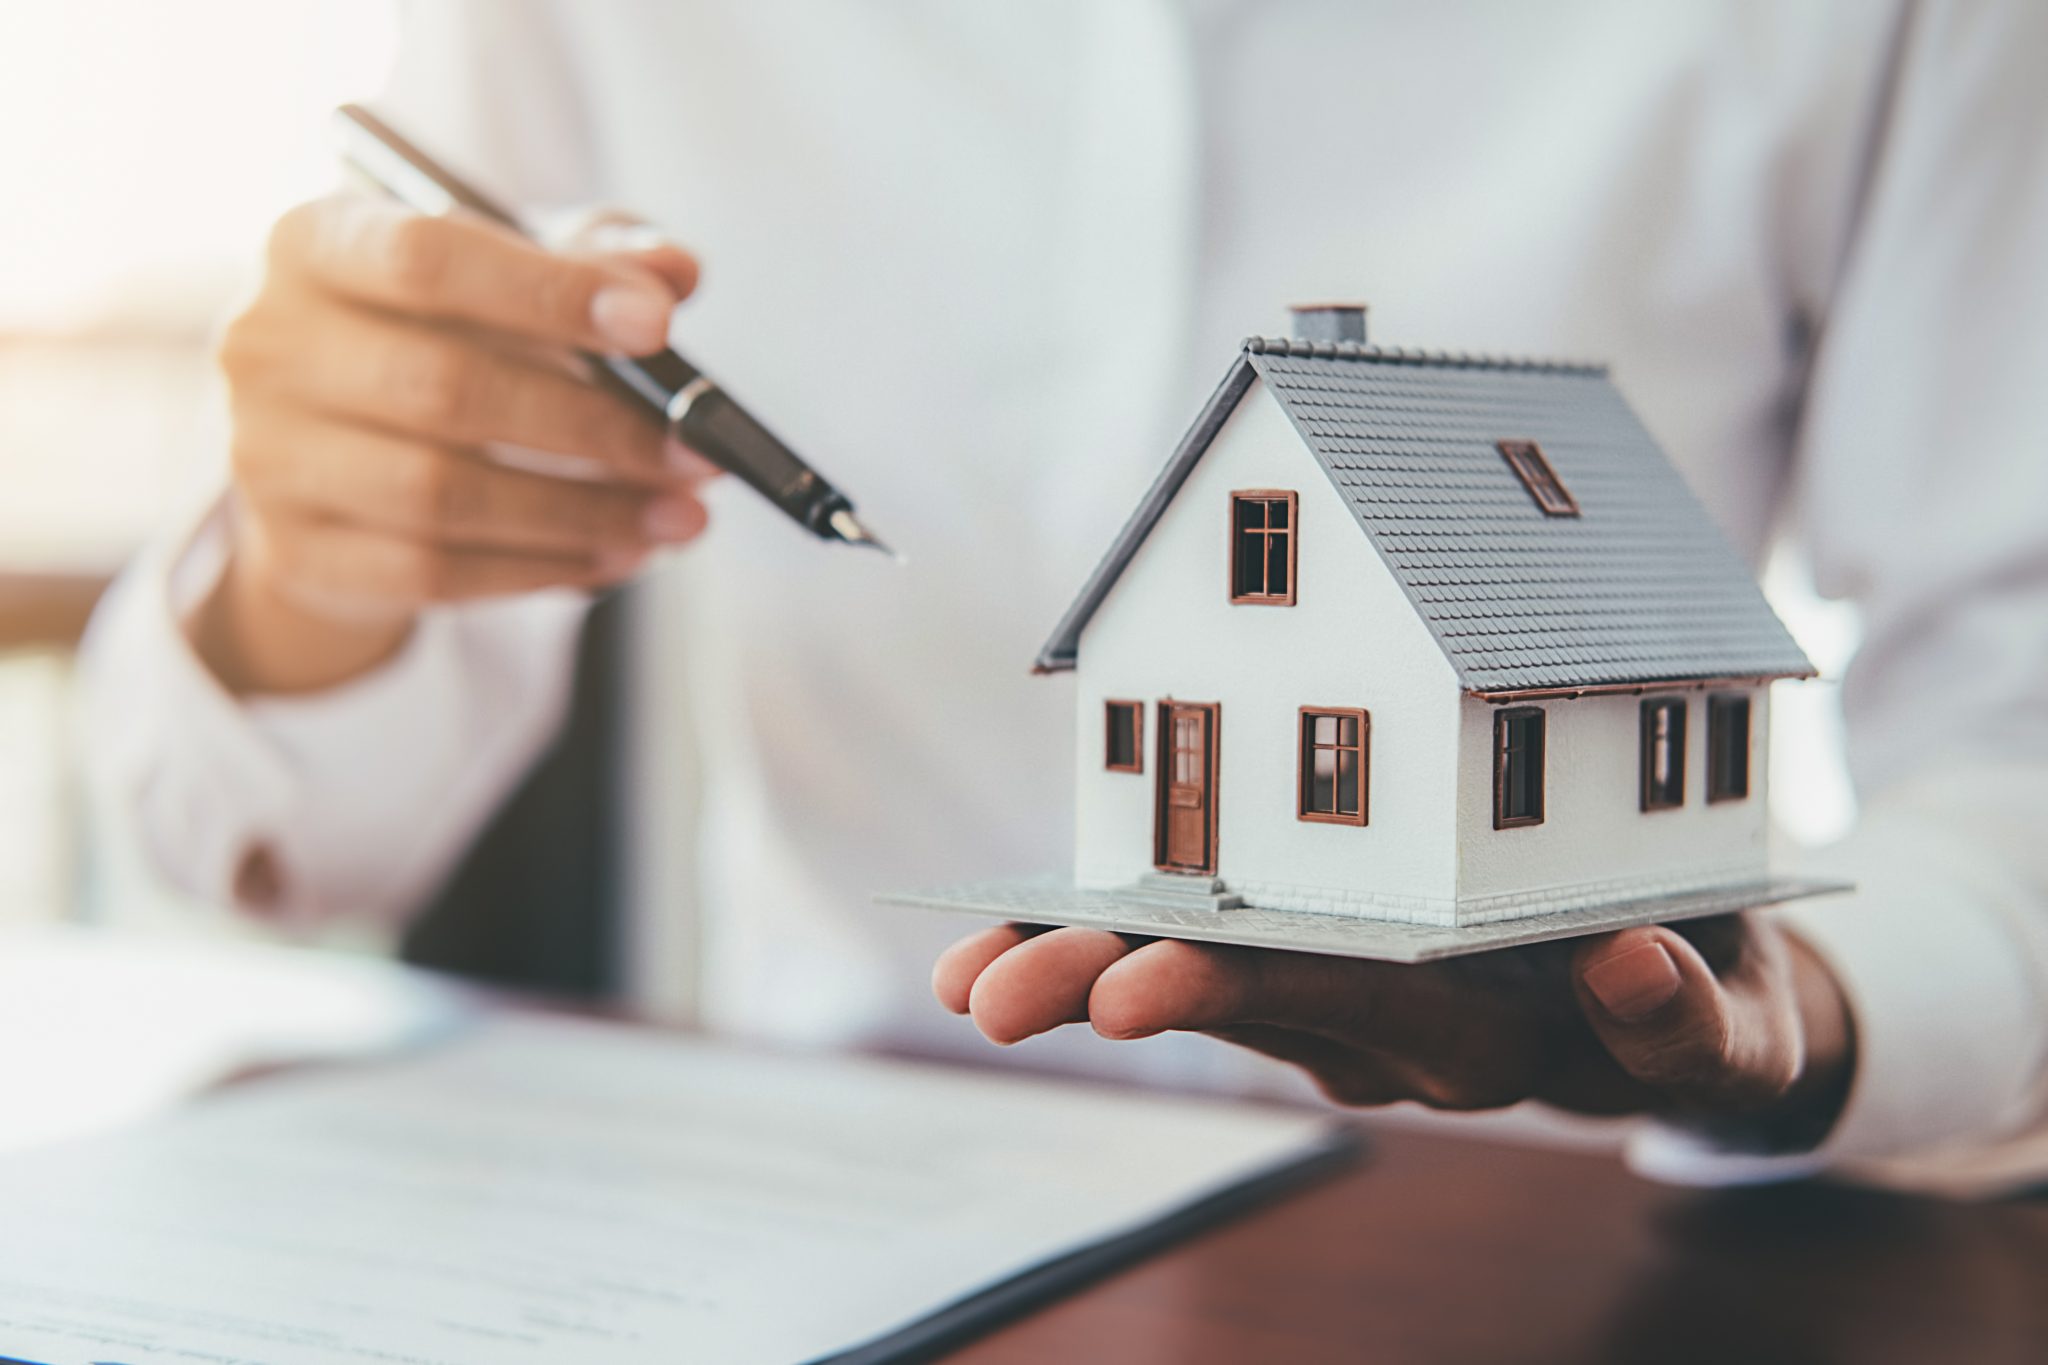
982,265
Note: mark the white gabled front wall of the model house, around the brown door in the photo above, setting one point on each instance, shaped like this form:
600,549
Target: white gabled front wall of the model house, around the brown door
1353,640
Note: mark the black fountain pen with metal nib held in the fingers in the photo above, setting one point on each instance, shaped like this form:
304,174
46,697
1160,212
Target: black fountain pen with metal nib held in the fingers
673,390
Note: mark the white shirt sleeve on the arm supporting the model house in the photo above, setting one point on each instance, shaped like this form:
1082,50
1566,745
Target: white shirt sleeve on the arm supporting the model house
1924,496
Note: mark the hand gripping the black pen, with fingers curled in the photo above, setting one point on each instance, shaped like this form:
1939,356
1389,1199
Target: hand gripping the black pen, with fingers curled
380,359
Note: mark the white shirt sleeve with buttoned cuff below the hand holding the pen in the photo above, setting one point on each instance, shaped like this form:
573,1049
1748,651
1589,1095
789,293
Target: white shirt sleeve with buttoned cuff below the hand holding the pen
361,797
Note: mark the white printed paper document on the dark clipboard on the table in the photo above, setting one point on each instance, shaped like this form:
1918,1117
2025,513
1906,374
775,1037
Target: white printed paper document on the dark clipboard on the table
585,1194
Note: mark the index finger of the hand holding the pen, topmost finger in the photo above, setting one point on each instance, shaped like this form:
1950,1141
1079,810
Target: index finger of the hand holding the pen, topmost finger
464,269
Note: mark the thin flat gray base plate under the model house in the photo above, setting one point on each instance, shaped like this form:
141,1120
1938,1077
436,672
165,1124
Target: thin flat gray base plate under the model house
1050,901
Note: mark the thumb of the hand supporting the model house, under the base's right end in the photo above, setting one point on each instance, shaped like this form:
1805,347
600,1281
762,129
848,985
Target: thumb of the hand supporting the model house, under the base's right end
1713,1045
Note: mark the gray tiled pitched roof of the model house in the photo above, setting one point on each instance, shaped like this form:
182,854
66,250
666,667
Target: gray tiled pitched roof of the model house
1641,588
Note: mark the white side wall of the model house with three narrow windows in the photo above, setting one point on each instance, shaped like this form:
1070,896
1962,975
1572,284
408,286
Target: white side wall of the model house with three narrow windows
1596,842
